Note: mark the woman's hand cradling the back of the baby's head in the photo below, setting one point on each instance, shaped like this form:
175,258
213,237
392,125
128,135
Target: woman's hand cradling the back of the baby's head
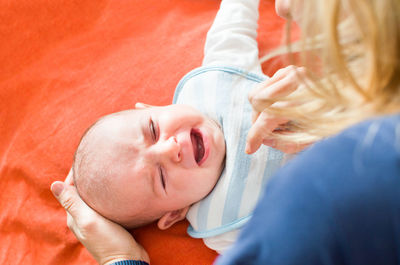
105,240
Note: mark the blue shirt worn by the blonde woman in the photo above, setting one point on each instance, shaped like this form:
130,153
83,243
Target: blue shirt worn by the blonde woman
336,203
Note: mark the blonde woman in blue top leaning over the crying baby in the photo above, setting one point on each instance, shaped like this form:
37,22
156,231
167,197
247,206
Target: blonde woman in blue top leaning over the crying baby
338,202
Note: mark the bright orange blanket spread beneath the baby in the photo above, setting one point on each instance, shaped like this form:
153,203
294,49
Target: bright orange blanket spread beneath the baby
63,64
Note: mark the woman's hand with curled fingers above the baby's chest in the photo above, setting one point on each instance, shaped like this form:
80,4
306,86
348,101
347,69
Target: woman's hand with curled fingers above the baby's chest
282,83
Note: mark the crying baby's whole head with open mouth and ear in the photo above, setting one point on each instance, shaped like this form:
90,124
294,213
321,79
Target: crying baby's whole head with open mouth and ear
149,163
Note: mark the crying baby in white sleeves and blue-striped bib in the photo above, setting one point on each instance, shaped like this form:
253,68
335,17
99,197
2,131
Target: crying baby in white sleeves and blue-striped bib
186,159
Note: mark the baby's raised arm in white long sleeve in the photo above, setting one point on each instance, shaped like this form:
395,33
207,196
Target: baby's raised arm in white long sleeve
231,39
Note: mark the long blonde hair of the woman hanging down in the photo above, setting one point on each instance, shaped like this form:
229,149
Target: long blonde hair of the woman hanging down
351,49
